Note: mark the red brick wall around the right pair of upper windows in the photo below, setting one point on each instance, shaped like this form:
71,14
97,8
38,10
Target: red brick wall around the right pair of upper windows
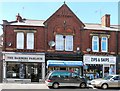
87,40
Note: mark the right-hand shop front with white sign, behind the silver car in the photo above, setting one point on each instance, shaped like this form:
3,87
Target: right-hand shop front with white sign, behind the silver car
99,66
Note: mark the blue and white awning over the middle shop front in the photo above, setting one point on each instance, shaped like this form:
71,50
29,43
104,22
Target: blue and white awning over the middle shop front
64,63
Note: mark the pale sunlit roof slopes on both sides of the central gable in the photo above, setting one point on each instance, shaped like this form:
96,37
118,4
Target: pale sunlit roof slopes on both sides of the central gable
88,26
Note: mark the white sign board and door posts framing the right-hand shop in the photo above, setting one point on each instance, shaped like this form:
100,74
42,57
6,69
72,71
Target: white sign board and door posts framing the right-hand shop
106,61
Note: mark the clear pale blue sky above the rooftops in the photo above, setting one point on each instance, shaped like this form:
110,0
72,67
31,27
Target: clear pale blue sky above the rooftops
87,12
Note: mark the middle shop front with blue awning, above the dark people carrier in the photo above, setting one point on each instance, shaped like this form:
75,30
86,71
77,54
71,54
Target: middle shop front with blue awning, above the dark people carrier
75,66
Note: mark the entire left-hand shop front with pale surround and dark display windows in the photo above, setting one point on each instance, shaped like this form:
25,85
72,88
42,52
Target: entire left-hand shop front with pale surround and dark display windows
25,67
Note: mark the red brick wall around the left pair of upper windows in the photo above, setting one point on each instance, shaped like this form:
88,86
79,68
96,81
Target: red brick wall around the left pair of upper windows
10,36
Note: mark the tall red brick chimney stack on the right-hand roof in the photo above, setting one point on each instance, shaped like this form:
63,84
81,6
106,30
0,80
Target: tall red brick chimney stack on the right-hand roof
105,20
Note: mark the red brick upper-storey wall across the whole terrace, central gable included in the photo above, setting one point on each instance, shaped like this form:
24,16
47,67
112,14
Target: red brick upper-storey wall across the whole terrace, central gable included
63,19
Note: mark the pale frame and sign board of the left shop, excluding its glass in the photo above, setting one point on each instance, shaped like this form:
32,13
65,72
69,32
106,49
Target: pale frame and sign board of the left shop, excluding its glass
23,57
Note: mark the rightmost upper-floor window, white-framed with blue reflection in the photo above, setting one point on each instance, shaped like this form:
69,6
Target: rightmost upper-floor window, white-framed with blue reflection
104,44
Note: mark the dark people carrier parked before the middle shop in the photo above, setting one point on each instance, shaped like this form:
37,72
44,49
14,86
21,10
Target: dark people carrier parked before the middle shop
58,78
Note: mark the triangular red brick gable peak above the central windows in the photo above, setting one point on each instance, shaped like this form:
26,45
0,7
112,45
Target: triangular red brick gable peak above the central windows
64,15
